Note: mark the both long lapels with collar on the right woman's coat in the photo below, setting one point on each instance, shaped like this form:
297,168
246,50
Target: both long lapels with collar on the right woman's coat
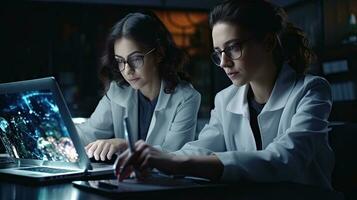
268,119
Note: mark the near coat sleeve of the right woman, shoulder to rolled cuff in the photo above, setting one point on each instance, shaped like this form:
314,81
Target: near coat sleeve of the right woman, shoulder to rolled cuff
290,153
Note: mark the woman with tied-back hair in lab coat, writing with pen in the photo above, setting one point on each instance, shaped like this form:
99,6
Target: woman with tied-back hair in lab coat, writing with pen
271,123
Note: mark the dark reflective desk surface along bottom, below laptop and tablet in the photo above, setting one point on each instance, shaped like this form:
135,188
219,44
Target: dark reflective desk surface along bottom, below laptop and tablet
244,191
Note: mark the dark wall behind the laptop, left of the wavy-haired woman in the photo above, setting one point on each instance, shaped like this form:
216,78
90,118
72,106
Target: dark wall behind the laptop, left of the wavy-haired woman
57,39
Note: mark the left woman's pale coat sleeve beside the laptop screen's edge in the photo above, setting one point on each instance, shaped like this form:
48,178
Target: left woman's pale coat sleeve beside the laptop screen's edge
99,125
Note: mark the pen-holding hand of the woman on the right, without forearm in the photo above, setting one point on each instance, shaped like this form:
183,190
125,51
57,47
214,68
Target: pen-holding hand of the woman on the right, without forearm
143,159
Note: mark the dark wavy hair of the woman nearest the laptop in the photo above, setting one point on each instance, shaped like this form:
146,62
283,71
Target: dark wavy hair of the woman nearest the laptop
146,29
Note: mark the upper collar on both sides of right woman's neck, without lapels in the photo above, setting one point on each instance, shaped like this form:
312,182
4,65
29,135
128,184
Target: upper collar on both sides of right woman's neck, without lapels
277,100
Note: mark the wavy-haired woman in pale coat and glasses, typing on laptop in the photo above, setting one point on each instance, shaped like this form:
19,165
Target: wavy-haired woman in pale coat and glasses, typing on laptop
147,86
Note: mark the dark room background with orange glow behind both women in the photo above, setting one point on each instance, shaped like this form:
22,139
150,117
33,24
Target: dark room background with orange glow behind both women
65,39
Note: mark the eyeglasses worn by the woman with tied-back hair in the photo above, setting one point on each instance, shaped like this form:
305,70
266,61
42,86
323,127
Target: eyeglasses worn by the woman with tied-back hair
233,52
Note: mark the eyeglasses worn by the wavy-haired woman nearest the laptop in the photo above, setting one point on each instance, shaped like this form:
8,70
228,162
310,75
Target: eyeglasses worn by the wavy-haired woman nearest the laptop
134,61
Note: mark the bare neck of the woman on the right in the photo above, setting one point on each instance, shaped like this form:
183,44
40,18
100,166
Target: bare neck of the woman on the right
262,85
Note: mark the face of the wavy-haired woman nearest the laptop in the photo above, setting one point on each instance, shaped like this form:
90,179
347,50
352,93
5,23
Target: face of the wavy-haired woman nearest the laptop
142,70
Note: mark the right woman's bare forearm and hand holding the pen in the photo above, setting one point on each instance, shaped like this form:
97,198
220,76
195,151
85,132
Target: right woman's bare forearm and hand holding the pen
146,157
